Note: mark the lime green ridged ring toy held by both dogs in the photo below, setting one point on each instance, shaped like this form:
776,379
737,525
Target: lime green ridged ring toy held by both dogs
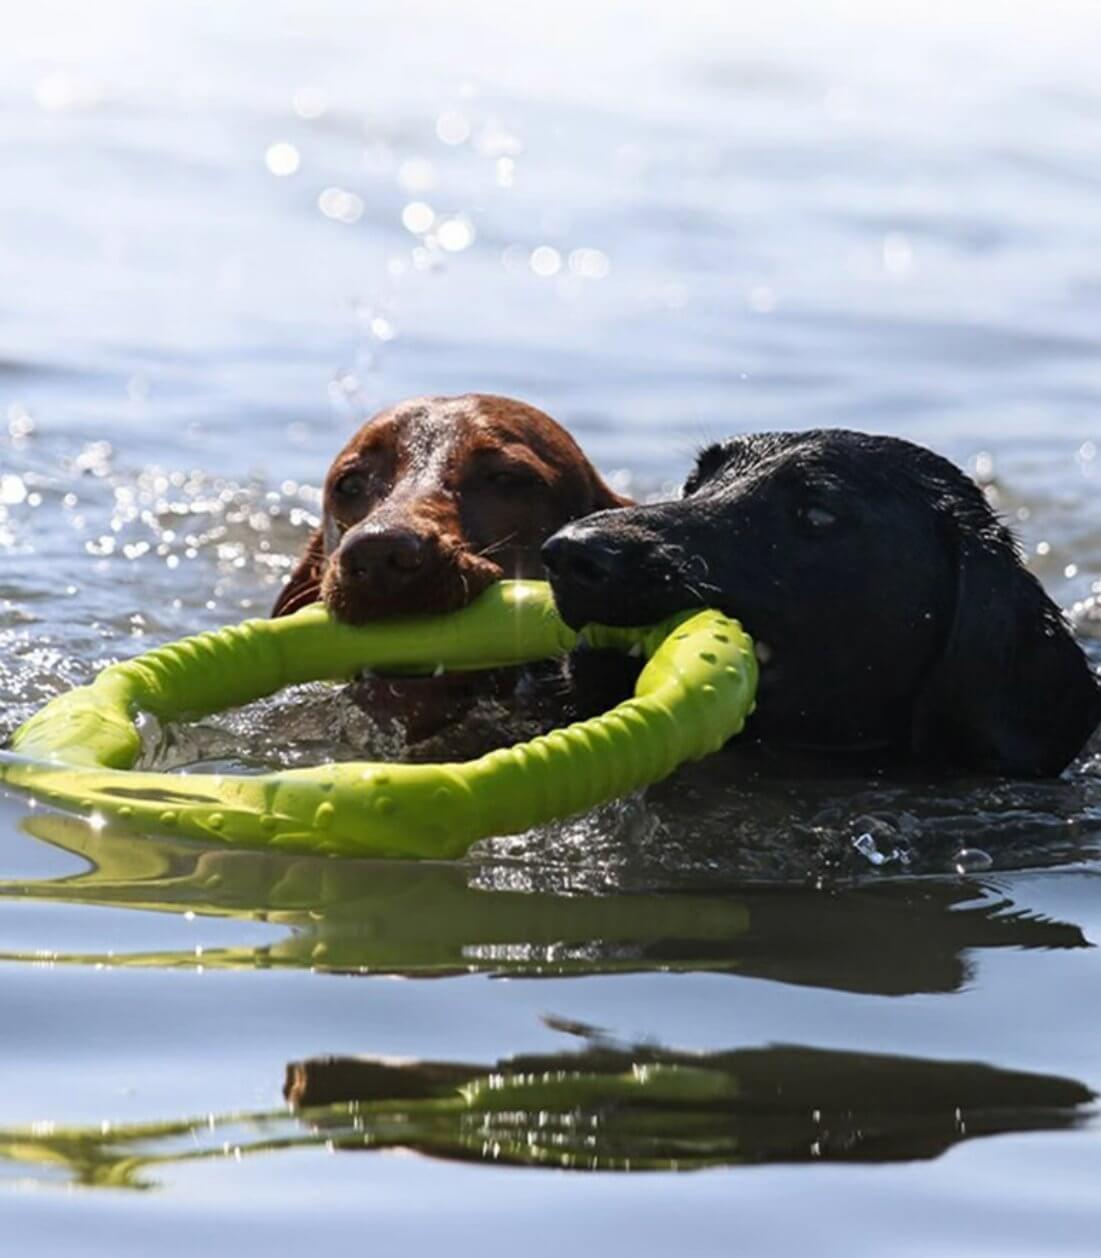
694,694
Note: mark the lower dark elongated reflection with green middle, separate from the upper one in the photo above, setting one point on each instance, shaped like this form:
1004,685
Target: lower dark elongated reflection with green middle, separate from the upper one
646,1109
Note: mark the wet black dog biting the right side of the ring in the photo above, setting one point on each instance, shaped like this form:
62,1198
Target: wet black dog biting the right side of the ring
889,603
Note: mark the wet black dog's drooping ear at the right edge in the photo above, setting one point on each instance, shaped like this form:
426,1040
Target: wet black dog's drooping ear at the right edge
1012,691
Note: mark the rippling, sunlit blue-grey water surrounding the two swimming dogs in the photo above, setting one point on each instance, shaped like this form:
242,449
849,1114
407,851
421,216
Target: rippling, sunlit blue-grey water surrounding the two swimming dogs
661,226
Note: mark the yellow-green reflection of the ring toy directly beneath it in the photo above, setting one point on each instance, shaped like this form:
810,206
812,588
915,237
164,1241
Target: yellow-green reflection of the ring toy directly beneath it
368,916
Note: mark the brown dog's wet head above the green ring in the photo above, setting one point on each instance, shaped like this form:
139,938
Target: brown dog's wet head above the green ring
437,499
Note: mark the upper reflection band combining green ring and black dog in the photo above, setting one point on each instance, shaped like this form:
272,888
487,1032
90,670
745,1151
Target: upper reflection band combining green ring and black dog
437,919
